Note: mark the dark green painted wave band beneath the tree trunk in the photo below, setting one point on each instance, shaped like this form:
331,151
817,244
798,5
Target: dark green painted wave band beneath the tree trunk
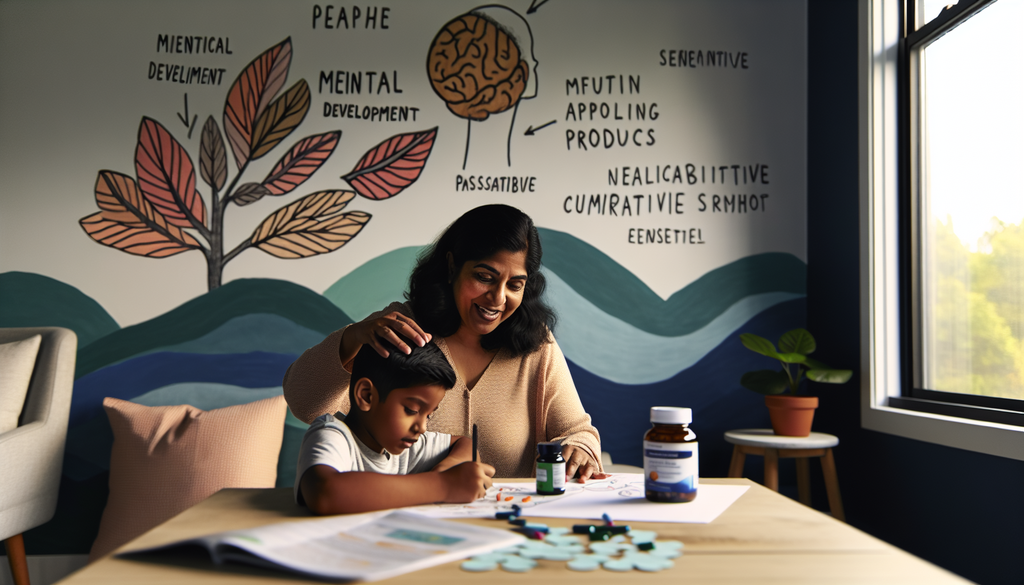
209,312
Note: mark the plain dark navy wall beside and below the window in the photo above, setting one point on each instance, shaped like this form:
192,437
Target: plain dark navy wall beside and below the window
959,510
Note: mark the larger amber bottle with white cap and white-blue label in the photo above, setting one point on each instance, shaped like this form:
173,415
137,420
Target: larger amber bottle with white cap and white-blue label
670,456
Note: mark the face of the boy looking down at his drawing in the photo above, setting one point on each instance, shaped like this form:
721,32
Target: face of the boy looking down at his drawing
398,424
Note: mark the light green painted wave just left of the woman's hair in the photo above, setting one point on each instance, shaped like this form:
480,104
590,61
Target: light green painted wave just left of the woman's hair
375,284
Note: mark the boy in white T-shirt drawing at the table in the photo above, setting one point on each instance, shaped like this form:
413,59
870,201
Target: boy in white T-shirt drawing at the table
381,455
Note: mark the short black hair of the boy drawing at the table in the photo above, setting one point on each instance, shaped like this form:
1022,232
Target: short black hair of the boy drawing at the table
425,366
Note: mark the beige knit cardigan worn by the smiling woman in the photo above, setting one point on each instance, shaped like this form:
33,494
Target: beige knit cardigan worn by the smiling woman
518,402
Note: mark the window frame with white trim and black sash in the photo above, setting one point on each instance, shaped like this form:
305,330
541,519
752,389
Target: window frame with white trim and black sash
889,402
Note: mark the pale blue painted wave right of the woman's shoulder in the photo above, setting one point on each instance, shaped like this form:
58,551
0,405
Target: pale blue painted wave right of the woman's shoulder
603,344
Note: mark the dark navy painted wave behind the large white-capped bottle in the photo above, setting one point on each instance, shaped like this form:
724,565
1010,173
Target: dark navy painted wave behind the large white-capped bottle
711,388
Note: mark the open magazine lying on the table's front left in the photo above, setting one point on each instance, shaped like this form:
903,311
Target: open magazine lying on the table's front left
365,548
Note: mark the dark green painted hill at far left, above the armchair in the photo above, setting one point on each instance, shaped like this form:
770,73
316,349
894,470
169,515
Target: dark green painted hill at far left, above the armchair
28,300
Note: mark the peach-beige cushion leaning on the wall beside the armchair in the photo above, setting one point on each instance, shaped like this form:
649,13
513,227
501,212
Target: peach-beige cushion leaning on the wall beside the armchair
167,459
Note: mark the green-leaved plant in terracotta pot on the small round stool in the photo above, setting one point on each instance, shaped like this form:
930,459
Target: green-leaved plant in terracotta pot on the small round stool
791,412
